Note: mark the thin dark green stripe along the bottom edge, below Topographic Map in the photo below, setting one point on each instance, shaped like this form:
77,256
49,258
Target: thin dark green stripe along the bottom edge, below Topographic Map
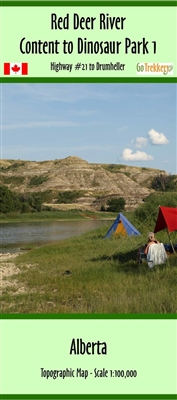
90,396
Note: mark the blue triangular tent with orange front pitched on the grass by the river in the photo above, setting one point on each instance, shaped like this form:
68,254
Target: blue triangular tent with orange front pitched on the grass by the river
122,226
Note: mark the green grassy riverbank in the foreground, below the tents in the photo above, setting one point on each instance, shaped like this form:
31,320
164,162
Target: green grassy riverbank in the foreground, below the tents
89,274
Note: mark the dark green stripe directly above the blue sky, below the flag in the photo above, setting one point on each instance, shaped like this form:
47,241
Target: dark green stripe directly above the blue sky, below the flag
88,80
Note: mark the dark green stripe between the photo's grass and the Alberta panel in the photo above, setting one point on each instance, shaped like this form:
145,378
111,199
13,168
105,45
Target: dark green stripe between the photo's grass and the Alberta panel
88,316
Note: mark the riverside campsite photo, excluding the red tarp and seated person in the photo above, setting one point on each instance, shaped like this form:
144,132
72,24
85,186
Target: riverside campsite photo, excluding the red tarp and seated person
78,159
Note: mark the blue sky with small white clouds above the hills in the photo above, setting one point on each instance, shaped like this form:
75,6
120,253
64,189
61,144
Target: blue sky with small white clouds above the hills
131,124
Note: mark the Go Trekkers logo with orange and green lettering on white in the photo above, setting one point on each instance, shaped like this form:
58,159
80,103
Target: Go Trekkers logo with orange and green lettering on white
154,69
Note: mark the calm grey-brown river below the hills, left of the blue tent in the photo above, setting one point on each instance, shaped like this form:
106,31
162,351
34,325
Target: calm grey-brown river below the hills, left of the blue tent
16,235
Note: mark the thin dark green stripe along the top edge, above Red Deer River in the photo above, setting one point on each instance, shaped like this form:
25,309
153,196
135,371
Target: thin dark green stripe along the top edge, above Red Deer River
89,3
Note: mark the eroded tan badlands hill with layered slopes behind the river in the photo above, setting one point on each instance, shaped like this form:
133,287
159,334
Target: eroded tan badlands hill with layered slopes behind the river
95,182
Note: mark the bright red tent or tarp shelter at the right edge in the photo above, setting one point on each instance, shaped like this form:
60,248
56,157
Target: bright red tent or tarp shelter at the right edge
167,218
